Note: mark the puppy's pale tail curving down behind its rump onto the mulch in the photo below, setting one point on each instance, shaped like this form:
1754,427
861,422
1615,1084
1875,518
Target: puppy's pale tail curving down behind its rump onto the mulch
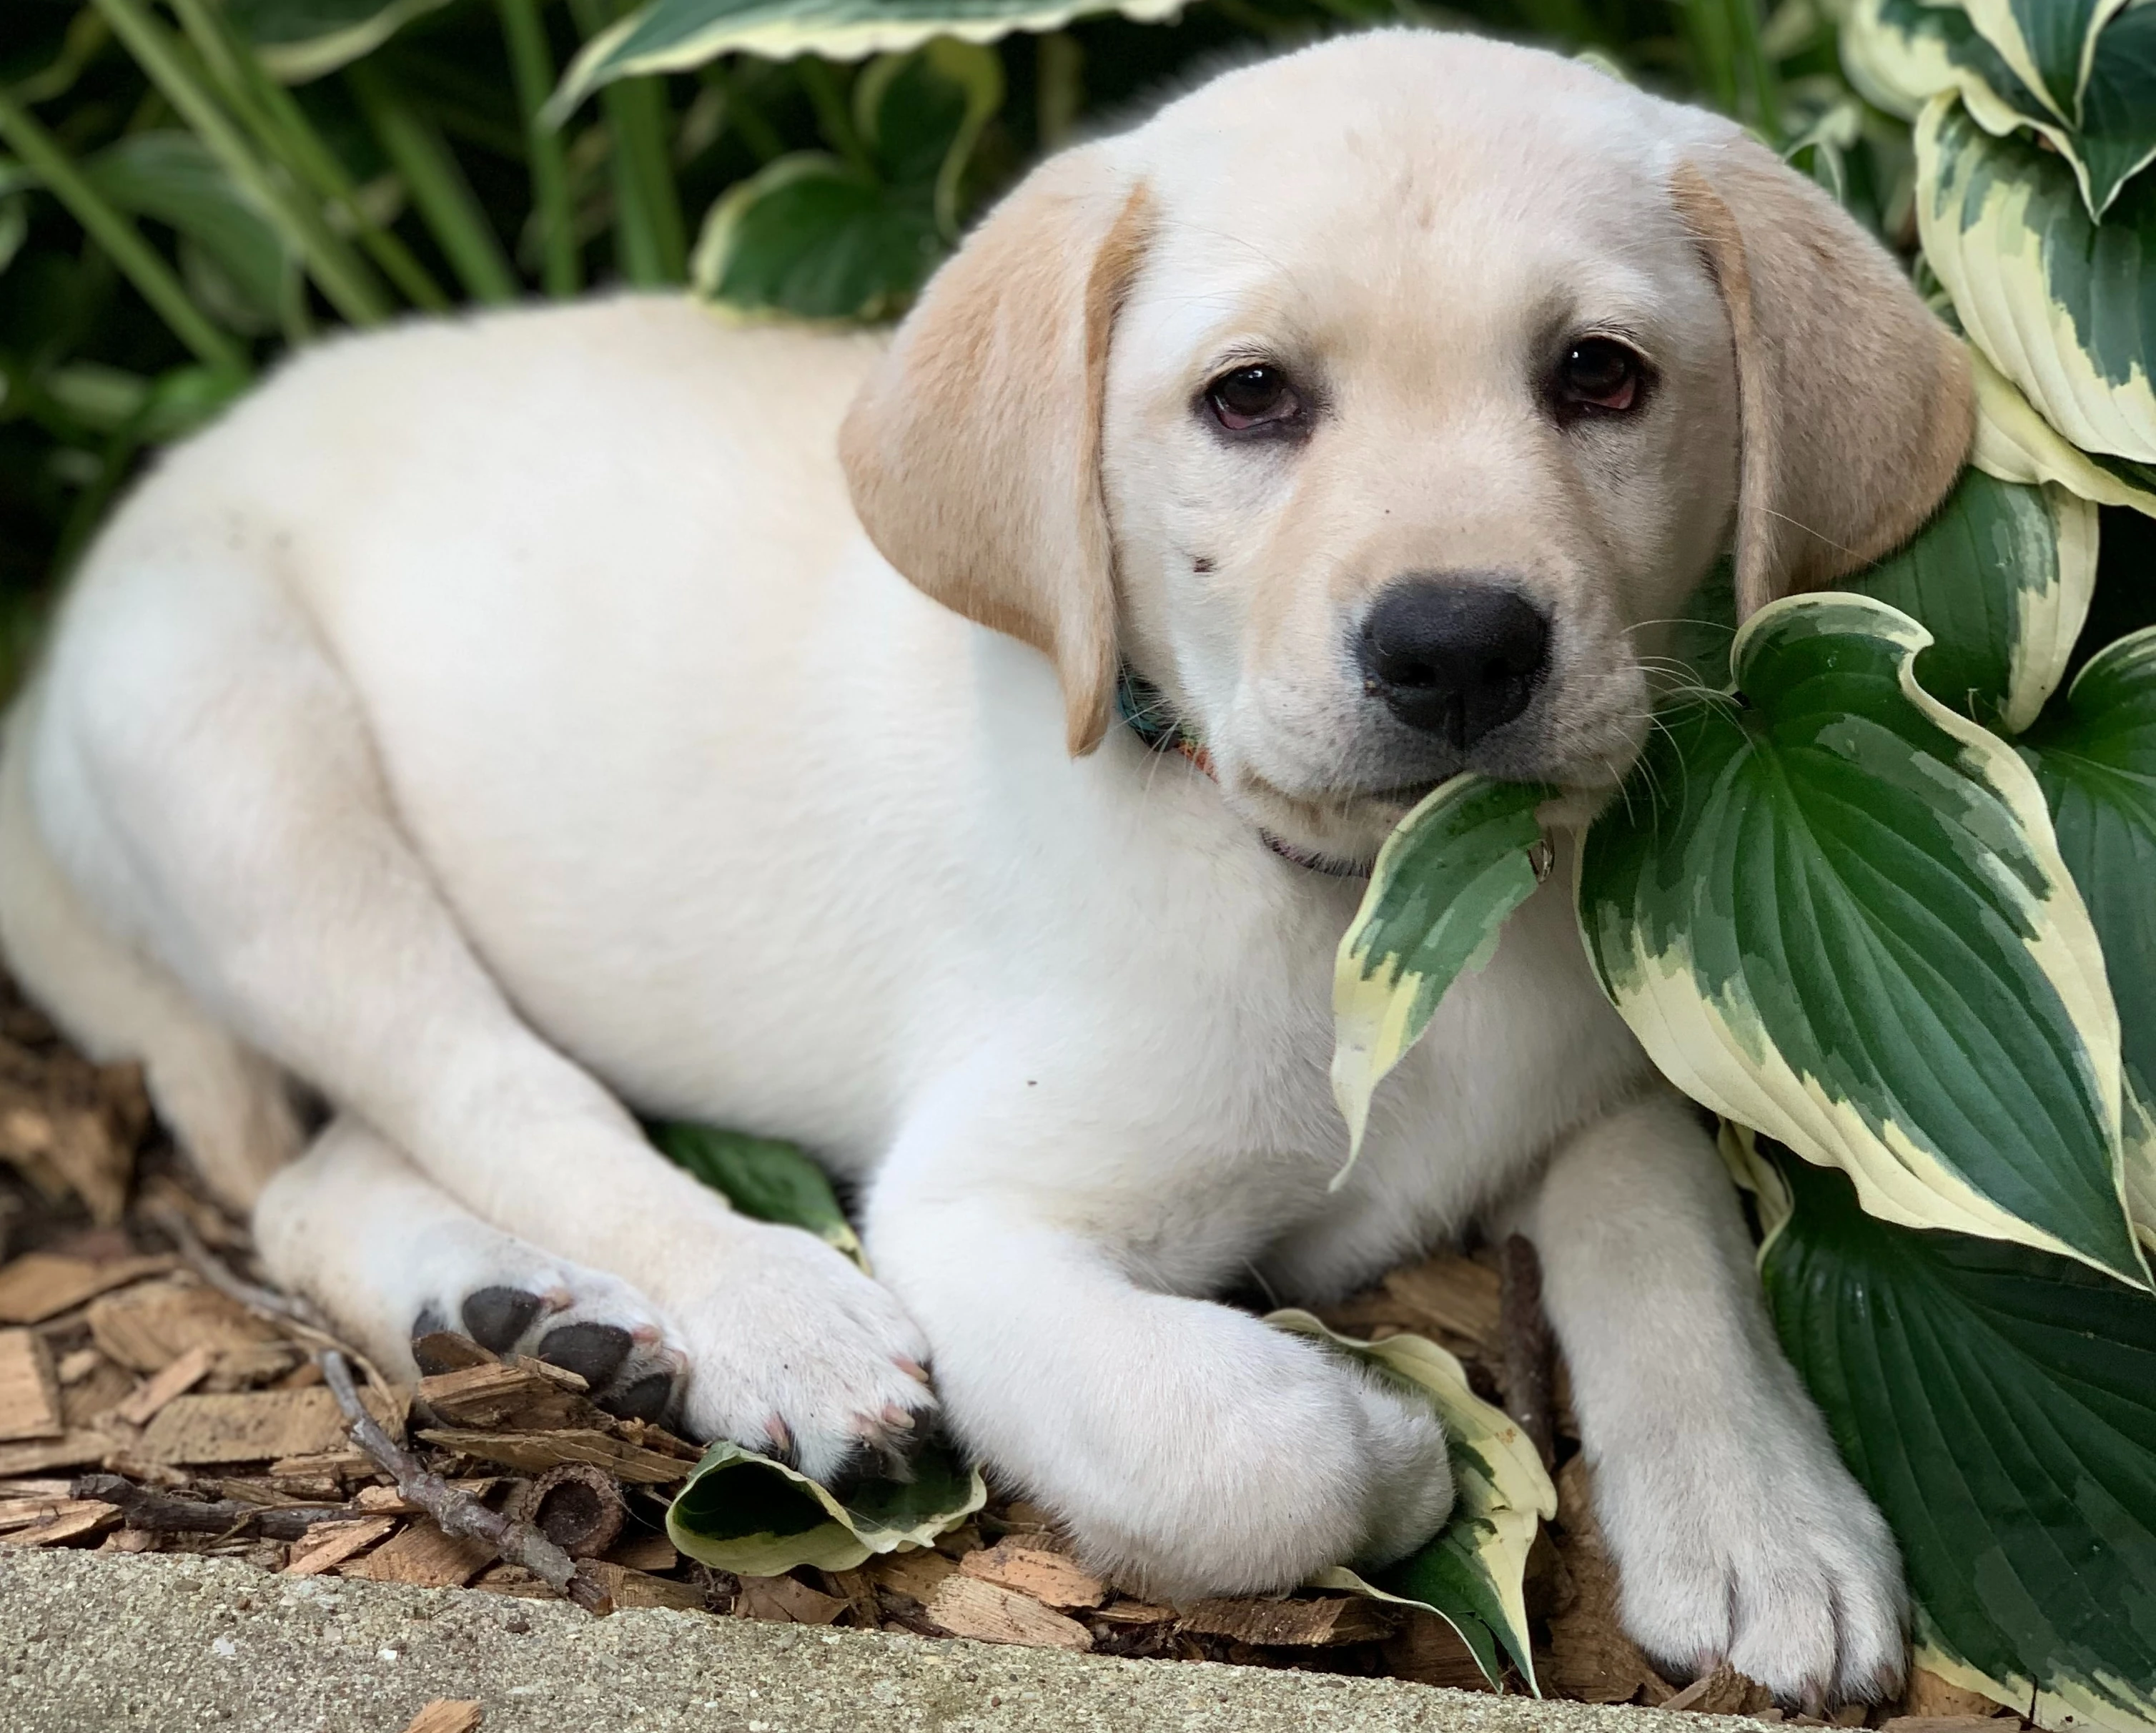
227,1107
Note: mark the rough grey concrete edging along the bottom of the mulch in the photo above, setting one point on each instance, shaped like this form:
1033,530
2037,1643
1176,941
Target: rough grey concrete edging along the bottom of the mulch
161,1641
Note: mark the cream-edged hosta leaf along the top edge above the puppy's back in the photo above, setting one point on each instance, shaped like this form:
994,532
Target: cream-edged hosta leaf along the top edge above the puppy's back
676,36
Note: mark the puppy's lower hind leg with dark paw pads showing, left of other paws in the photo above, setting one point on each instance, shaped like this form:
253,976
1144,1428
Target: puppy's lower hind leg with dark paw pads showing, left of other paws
393,1258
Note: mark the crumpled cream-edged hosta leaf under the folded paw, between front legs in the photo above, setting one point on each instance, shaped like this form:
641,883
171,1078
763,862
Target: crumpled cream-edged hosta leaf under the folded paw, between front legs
1471,1572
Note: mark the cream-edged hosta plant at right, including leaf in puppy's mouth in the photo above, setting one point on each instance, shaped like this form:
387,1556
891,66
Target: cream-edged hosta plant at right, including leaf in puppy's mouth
1883,896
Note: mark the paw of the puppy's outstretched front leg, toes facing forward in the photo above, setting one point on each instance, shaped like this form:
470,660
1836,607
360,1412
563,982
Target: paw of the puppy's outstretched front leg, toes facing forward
1760,1553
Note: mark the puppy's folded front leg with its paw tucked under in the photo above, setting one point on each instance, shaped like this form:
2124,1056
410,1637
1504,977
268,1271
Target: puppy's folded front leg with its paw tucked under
1189,1447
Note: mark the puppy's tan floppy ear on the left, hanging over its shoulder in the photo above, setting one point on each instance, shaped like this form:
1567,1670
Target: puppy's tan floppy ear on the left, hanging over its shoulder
973,452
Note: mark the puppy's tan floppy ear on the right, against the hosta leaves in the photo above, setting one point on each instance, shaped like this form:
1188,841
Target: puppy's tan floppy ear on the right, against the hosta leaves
1855,402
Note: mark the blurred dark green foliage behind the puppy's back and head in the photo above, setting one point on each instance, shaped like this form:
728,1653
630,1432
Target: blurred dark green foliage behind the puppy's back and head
193,186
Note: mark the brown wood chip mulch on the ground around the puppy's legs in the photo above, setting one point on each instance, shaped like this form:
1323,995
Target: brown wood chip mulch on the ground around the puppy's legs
156,1400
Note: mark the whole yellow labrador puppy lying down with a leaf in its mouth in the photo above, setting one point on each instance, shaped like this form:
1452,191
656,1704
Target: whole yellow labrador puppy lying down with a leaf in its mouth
506,725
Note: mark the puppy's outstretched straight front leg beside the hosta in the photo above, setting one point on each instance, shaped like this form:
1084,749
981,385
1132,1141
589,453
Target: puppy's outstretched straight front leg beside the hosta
1739,1536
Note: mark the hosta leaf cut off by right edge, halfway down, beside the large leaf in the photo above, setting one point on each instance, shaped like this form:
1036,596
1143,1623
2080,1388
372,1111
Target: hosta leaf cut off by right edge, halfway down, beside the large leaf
2095,755
